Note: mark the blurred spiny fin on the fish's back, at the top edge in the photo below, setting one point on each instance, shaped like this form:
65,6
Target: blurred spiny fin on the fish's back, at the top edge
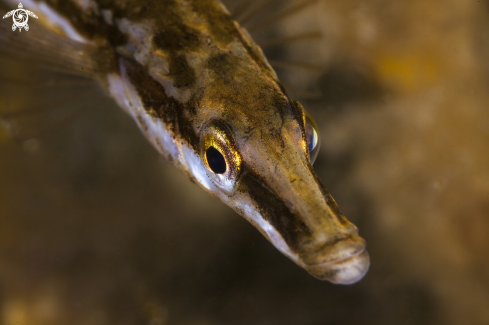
264,20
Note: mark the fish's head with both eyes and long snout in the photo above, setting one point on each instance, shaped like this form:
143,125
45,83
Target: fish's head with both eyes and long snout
257,148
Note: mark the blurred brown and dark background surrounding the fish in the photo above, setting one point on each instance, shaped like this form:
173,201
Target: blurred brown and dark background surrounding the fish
97,228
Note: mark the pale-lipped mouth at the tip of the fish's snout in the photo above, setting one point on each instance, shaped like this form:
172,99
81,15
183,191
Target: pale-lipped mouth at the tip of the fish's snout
347,269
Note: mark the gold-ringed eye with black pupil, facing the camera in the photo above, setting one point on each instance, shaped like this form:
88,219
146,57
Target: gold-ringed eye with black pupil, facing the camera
221,157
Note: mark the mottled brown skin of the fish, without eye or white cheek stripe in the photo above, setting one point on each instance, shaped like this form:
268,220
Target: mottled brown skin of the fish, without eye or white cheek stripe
217,73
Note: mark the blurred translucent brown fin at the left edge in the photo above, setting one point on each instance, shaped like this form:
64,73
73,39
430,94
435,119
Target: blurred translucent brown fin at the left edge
46,79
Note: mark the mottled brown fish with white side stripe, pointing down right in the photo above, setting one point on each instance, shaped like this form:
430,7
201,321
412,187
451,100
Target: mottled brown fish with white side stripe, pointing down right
204,95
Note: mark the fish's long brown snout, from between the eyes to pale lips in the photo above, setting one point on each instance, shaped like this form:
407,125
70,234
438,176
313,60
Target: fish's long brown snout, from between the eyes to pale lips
284,198
